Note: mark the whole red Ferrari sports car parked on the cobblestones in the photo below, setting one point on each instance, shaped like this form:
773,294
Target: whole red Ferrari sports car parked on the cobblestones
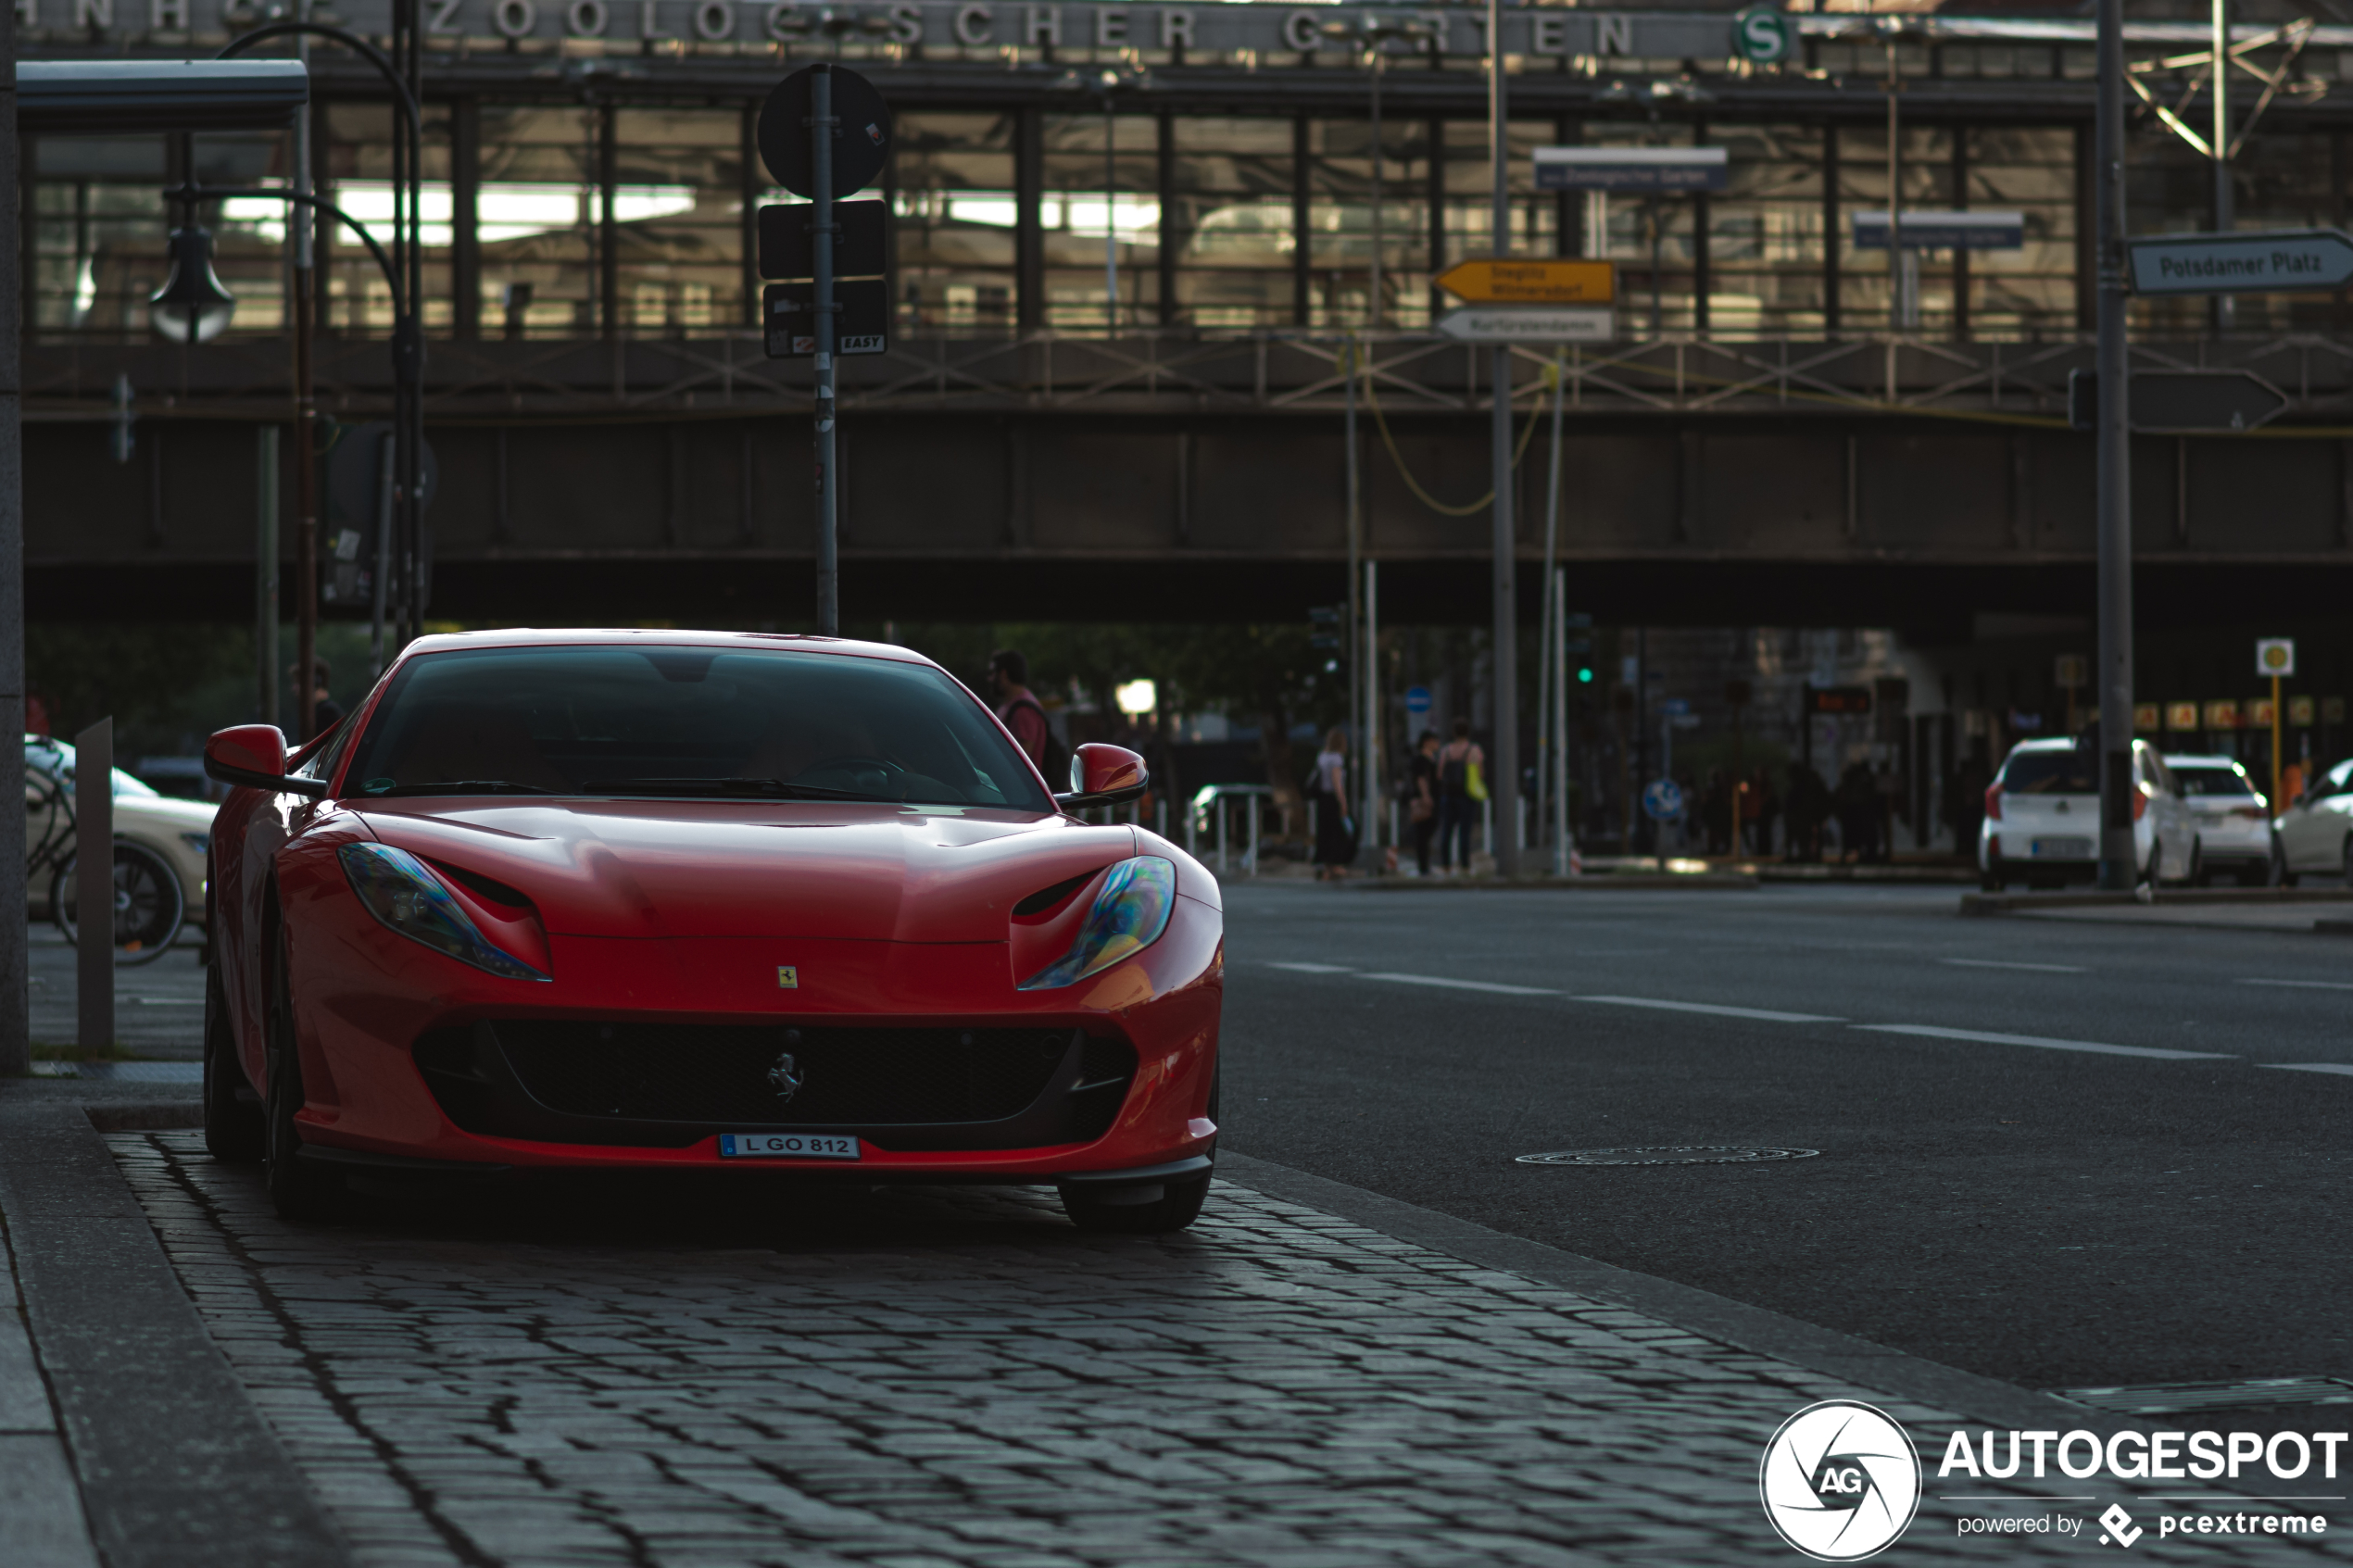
702,902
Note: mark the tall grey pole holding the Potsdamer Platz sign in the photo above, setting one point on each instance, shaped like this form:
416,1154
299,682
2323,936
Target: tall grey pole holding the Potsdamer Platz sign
2119,864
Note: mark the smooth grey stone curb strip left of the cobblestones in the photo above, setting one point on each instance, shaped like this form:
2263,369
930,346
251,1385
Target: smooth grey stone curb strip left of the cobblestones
175,1466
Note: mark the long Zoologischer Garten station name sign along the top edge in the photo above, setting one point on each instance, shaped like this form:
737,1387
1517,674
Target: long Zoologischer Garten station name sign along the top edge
1269,32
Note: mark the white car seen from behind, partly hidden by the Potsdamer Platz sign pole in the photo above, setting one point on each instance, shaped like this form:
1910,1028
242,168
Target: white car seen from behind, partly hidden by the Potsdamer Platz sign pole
2044,819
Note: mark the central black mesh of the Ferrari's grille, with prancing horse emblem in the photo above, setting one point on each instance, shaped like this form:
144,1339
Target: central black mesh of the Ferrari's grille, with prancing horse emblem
698,1073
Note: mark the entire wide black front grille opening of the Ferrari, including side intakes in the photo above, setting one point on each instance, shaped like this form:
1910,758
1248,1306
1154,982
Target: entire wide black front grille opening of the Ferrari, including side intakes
667,1085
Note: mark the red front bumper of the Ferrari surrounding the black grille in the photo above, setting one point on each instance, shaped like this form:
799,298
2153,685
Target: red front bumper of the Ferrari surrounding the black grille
385,1021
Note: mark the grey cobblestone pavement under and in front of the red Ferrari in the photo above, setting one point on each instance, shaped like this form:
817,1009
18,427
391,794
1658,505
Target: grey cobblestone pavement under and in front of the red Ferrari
964,1381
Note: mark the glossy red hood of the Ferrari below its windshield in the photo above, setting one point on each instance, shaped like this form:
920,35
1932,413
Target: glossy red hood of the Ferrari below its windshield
731,869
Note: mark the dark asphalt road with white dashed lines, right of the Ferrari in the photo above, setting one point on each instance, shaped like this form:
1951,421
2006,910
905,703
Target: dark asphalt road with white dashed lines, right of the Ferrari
2161,1191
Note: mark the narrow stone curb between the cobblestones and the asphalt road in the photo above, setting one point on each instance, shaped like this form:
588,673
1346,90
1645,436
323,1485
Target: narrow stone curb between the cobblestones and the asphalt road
1757,1329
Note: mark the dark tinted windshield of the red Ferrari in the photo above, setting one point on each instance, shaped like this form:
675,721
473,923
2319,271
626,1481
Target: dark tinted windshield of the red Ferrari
686,723
